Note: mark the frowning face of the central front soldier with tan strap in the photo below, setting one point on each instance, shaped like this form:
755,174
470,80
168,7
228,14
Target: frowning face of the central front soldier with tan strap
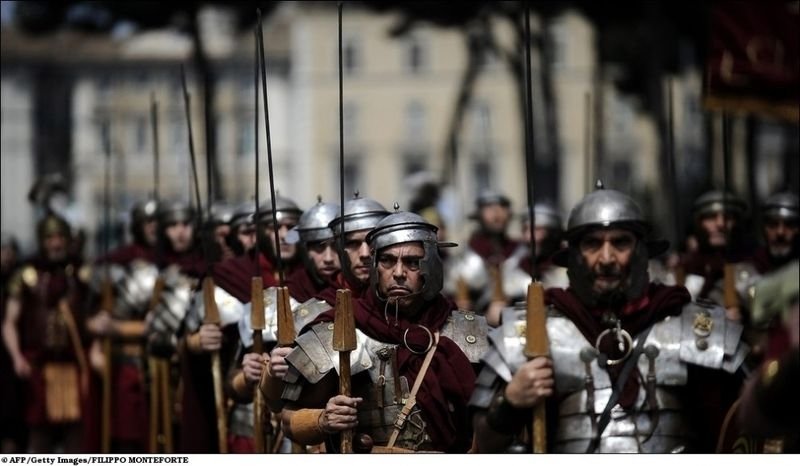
399,275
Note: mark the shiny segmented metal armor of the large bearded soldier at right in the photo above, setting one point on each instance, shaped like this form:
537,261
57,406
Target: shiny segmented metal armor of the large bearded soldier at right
700,335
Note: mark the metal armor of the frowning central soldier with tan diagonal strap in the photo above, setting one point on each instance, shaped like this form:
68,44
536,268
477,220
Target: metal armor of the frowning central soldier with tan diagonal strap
386,391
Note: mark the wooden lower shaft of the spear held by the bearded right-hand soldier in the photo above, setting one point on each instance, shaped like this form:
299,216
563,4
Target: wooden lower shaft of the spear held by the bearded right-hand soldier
536,345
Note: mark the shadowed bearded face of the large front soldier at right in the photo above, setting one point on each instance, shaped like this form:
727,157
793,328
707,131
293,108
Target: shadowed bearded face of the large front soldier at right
607,254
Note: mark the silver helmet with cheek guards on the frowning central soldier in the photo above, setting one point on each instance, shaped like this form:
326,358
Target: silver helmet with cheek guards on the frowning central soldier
405,227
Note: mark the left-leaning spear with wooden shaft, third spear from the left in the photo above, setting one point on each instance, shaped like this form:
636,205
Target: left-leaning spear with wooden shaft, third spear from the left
210,304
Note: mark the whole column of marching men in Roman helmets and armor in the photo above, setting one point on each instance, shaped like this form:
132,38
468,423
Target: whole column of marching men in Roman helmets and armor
648,352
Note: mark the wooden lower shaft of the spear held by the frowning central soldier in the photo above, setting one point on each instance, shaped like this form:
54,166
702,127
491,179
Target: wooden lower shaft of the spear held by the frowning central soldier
344,341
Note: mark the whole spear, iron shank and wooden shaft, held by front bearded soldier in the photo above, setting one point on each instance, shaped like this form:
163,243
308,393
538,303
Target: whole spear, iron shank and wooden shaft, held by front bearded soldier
536,332
